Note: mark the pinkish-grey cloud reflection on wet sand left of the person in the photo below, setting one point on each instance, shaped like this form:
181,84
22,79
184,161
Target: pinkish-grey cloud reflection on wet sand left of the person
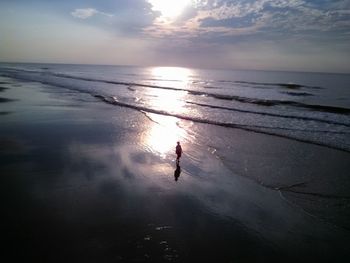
126,164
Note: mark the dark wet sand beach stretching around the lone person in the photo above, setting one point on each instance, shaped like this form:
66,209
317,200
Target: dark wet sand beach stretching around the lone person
85,181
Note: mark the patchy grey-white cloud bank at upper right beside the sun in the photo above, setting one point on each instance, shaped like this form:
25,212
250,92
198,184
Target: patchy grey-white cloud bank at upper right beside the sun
270,19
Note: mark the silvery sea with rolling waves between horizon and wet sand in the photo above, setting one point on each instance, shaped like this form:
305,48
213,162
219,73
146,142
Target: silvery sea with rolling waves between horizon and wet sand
308,107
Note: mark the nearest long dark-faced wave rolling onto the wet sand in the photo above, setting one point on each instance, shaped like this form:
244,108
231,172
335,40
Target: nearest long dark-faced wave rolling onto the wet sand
252,128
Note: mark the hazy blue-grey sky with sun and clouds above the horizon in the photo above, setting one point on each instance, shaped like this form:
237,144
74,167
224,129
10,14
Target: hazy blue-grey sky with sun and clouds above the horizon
294,35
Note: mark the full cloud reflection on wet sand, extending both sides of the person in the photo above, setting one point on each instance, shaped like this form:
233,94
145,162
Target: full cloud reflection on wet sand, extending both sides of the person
214,187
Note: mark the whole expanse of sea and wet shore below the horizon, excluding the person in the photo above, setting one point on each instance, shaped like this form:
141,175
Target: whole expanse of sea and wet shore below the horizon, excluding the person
89,174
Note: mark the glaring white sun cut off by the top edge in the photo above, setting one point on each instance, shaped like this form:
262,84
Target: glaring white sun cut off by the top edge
169,8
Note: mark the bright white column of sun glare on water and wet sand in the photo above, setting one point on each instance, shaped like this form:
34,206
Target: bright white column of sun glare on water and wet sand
162,136
